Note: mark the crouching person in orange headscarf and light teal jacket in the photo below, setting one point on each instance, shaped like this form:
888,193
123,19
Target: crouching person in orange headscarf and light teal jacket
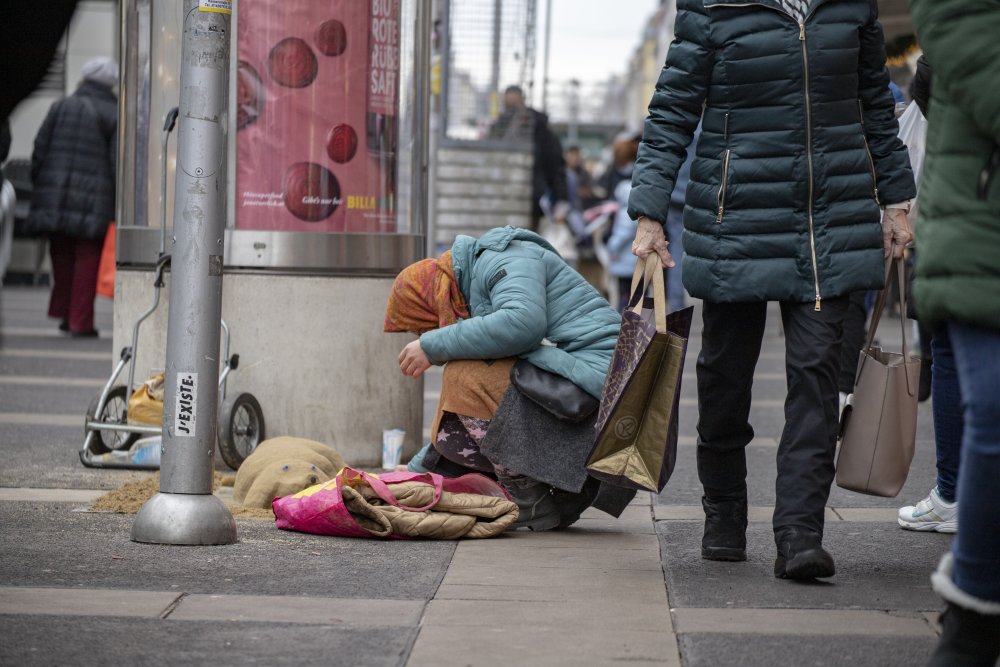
480,306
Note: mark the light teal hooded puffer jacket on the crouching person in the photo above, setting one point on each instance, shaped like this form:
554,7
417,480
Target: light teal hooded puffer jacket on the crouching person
525,301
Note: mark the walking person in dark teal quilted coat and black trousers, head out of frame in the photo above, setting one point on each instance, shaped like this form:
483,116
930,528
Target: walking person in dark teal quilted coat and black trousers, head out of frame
798,151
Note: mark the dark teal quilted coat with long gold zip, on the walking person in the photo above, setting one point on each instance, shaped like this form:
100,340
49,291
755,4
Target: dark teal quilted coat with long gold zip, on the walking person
798,148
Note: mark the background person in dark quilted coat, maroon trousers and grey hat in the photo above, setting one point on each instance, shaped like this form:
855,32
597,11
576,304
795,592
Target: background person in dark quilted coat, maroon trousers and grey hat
73,176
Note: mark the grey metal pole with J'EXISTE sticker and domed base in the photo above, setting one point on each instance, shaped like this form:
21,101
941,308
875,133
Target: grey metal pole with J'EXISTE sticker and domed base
185,511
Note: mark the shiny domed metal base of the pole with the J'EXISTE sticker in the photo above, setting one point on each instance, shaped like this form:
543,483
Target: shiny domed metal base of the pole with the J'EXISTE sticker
184,519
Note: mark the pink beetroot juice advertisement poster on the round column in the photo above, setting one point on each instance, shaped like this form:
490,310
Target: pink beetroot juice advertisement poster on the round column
317,115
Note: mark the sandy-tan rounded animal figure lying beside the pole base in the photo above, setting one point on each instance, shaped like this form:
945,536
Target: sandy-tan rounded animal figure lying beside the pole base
283,466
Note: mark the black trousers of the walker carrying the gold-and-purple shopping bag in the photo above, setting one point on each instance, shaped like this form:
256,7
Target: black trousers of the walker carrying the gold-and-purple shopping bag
731,341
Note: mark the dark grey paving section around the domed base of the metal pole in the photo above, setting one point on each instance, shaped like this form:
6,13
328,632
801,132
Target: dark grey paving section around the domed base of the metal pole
46,544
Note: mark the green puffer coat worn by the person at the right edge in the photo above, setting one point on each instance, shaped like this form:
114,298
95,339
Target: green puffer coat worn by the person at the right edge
958,264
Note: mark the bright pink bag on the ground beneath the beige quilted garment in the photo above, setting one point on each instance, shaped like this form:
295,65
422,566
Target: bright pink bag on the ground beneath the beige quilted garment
321,509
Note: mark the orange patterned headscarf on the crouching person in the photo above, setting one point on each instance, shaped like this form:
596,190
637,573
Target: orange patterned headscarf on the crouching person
425,296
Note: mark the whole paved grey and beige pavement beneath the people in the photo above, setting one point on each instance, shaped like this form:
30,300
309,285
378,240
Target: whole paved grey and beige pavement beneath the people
75,591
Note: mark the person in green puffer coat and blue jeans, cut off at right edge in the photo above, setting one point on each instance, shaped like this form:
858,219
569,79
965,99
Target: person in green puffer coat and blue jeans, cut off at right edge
957,287
